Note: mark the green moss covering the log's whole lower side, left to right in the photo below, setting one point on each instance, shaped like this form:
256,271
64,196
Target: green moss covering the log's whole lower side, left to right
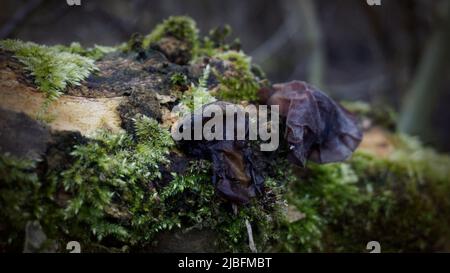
110,198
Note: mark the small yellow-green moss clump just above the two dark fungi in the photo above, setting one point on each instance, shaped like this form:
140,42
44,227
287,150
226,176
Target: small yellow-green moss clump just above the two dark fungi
237,82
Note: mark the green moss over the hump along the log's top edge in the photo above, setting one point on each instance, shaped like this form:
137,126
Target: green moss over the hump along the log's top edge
238,82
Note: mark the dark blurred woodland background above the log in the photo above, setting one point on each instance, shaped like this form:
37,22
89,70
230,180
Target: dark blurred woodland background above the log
392,55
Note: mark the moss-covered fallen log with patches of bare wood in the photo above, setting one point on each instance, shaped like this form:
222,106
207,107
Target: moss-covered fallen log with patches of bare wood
94,162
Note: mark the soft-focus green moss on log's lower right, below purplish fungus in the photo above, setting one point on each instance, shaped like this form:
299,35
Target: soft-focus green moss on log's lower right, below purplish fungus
402,202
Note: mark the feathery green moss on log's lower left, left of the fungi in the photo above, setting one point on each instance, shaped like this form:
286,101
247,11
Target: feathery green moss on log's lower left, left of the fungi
107,191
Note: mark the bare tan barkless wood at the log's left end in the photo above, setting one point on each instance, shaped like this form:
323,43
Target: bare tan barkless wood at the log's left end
72,113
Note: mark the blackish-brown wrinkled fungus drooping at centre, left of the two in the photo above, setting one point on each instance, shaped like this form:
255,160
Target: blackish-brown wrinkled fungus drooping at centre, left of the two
235,176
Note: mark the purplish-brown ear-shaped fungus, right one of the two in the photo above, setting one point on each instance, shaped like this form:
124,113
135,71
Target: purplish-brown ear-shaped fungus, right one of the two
317,128
